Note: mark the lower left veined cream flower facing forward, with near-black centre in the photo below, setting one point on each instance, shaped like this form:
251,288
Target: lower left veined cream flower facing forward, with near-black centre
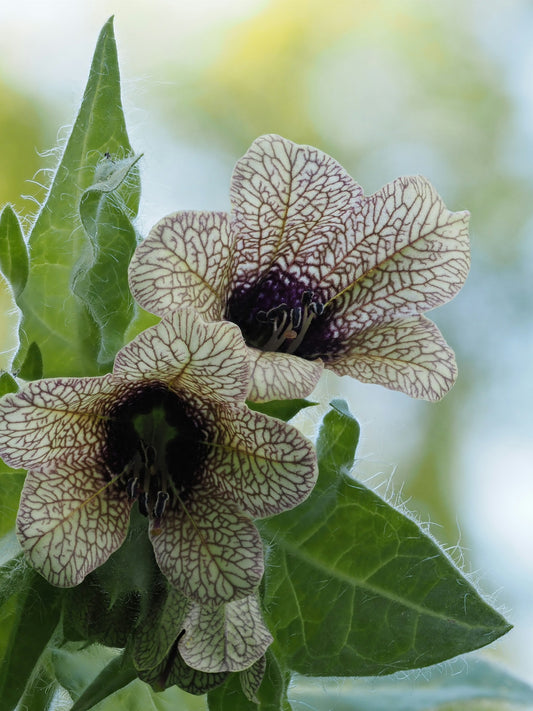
168,429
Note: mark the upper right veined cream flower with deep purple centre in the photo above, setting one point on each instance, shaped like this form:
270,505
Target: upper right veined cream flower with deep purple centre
315,273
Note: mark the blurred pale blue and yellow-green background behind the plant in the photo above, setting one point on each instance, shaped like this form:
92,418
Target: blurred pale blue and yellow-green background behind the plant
387,88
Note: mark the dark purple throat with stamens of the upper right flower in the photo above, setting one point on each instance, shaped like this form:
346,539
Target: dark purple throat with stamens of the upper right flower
276,313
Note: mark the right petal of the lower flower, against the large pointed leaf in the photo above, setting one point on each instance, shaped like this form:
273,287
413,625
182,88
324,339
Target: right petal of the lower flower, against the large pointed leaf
266,466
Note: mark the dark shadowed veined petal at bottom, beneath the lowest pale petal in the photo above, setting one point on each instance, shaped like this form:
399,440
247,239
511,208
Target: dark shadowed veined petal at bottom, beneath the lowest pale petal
174,671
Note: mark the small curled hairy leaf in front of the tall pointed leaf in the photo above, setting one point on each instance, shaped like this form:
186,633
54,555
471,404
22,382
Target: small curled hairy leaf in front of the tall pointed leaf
102,283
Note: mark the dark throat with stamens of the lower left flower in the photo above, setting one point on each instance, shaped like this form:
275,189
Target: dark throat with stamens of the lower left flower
154,446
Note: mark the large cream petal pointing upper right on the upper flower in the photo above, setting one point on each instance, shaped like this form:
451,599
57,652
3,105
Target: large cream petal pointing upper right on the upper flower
410,255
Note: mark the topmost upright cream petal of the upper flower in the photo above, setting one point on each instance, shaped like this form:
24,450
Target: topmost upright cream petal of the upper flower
289,206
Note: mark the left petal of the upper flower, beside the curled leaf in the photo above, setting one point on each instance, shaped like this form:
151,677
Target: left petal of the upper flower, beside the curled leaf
184,261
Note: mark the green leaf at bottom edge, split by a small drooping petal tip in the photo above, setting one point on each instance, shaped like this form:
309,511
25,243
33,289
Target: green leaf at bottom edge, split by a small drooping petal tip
271,696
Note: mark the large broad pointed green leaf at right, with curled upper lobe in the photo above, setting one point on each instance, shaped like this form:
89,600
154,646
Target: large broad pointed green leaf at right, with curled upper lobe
354,587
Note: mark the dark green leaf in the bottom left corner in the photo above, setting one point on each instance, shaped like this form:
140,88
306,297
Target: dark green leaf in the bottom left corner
33,614
